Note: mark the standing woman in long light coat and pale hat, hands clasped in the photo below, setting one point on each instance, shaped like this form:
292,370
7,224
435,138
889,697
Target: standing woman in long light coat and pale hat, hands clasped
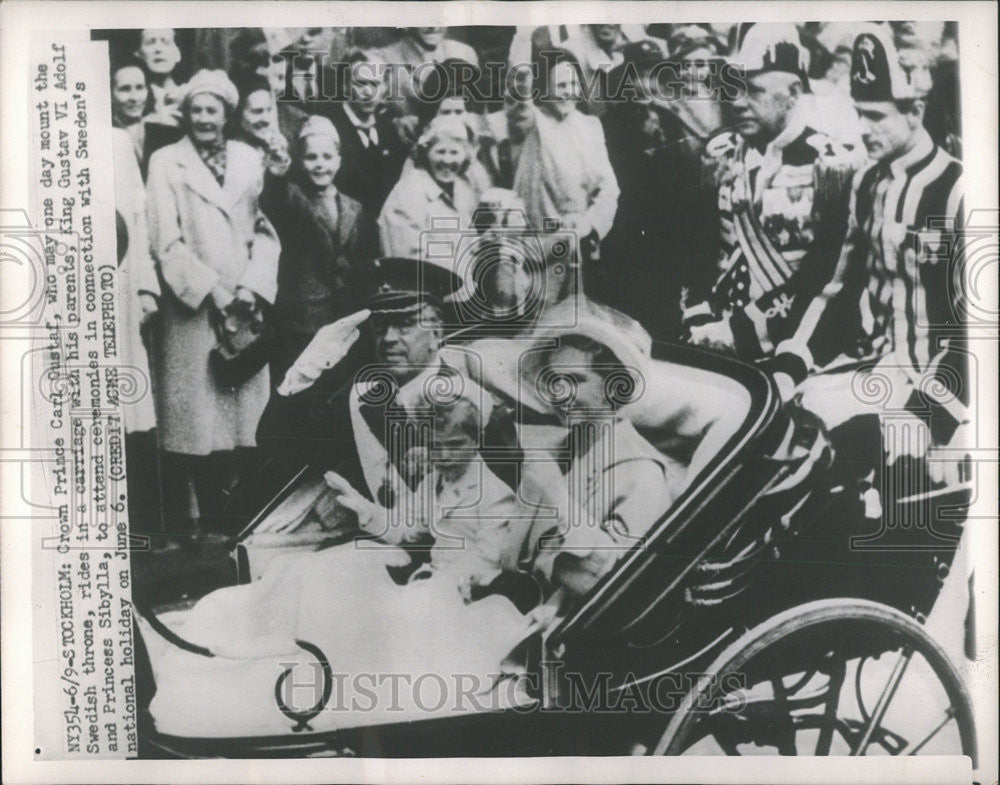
212,245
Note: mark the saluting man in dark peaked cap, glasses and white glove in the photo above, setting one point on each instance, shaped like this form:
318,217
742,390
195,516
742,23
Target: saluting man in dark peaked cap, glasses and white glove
335,410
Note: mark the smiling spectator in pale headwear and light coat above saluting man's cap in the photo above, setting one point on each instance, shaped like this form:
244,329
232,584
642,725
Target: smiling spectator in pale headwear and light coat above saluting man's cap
437,190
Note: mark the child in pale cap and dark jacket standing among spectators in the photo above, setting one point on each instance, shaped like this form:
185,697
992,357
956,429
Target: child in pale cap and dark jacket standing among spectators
324,235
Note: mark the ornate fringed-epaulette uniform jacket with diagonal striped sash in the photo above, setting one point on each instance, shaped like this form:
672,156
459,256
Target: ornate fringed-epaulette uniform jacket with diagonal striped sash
782,216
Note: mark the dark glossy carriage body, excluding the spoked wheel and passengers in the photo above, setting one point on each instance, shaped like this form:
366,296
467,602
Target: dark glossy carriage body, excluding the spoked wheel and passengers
758,531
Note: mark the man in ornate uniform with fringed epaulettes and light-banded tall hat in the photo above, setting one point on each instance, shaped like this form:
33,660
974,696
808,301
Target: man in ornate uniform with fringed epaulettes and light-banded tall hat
782,200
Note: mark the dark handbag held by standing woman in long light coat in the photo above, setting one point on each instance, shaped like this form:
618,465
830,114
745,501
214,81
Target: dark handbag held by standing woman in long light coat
245,341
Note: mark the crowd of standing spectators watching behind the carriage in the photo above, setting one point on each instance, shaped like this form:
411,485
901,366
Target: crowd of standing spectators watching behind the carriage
317,187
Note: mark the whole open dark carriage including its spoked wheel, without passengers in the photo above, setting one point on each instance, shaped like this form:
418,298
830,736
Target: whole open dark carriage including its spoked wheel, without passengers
763,613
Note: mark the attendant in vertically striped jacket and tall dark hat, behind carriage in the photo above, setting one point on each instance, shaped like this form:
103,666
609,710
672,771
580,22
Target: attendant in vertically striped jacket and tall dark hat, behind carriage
893,301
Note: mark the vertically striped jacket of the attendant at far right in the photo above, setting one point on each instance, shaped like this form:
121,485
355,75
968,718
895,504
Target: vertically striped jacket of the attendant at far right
896,295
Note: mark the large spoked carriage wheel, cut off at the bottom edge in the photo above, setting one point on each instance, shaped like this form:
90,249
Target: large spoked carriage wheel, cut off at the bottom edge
833,677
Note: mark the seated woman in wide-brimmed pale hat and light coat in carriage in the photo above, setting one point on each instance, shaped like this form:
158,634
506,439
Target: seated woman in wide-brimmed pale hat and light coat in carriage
617,484
